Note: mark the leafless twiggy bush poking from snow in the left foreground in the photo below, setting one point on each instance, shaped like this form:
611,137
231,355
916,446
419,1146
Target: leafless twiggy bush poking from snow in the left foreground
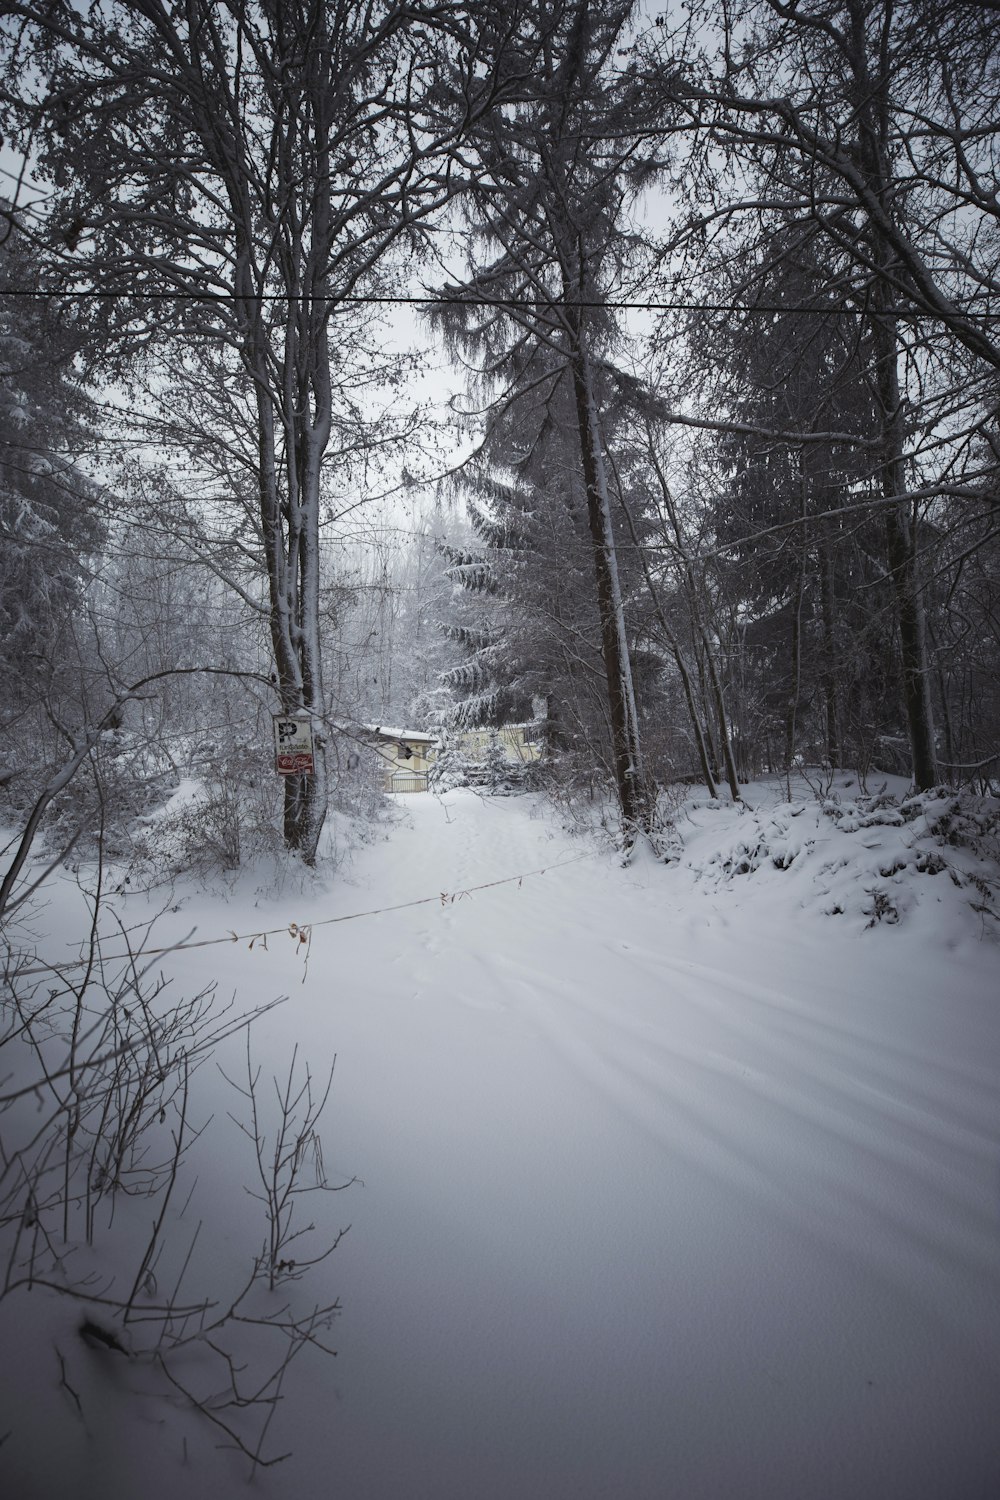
98,1129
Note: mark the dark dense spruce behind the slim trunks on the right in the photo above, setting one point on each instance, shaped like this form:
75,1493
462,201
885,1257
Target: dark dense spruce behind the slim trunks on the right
785,499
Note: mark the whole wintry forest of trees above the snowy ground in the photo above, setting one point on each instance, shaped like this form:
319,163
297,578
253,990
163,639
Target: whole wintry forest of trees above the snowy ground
705,481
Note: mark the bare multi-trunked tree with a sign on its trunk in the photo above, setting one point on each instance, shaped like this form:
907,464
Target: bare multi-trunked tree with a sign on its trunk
229,175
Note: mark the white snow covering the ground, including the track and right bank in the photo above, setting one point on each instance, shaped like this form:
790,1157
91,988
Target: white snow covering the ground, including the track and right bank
672,1184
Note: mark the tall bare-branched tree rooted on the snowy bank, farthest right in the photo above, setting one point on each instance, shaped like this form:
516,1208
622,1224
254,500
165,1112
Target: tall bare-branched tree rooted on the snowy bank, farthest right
872,127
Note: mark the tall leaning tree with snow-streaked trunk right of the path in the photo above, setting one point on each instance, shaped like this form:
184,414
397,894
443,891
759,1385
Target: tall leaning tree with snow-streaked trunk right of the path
548,244
